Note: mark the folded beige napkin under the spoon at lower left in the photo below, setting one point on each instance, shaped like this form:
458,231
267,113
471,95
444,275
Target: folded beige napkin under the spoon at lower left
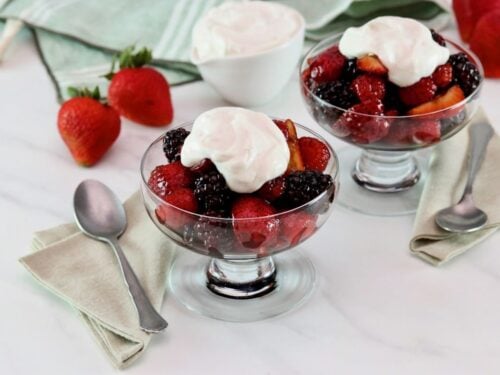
85,273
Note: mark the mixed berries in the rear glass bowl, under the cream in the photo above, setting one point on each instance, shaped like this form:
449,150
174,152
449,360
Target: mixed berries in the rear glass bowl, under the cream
359,87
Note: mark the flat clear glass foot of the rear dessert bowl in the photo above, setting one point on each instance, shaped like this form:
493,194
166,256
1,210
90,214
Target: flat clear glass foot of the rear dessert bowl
360,199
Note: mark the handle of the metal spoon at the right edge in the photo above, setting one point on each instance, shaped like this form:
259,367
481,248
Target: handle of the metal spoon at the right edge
480,135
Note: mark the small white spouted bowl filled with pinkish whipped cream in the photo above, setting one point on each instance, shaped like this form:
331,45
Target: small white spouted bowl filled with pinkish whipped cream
247,51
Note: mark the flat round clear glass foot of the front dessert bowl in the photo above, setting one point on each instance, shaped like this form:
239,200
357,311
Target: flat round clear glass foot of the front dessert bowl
295,280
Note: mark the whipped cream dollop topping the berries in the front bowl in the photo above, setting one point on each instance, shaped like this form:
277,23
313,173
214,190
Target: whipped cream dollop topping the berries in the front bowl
247,147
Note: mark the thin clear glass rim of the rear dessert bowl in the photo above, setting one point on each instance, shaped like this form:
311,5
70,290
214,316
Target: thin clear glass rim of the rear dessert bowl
324,103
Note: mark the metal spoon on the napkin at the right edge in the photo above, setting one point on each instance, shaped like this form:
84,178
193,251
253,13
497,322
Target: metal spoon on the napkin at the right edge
465,216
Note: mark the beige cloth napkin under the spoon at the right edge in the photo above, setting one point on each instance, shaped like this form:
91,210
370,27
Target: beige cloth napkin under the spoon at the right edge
444,186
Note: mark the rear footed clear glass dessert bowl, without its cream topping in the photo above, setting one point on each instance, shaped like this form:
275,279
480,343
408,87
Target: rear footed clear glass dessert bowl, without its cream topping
385,174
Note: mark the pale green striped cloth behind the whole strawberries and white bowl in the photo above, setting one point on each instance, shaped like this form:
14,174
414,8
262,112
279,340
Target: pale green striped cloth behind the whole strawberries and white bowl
76,39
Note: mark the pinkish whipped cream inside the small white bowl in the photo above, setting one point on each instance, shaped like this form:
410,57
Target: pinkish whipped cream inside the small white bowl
243,29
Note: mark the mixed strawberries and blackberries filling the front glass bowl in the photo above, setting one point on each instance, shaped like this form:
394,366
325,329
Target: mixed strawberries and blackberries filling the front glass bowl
203,190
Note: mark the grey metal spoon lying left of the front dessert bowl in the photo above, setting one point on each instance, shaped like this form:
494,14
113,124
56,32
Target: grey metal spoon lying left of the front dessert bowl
100,215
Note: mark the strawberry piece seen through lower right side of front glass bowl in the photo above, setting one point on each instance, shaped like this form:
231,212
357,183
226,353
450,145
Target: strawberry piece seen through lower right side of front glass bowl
297,226
